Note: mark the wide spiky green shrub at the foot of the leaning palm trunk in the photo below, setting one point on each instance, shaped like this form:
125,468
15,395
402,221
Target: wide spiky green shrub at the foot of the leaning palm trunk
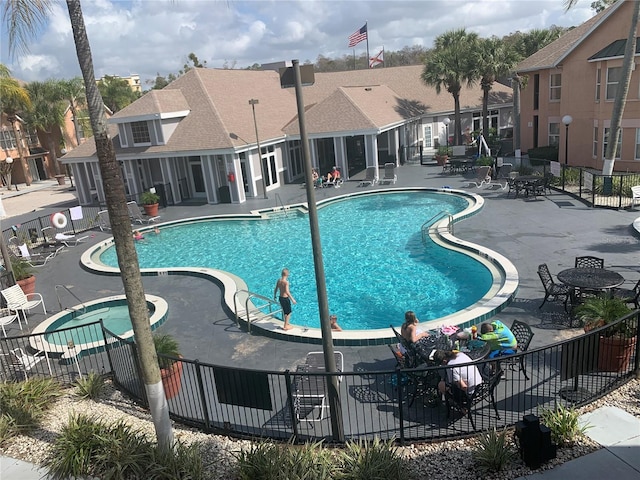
87,447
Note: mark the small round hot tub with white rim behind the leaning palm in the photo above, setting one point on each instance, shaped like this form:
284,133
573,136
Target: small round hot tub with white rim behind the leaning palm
74,323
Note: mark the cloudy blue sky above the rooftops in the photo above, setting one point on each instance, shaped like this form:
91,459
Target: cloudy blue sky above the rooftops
147,37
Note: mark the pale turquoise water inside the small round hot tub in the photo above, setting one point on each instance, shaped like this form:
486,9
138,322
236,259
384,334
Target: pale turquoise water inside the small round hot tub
115,319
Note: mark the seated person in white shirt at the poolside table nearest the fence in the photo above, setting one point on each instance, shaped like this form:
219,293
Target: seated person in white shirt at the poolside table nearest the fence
460,382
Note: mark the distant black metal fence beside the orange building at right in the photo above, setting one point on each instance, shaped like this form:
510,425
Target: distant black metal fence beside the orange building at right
587,184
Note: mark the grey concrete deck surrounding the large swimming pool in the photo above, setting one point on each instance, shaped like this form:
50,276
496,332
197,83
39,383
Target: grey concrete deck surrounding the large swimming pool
528,232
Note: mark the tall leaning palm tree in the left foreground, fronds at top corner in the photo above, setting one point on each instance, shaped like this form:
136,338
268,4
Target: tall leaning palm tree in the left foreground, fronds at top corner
23,19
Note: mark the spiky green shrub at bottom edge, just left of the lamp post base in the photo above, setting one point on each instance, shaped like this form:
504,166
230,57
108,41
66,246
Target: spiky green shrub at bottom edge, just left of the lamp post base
271,460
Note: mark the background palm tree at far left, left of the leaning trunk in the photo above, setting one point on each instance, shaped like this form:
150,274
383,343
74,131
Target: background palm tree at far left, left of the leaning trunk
47,114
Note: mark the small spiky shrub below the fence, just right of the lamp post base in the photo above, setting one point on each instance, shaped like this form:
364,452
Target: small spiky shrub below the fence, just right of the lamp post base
377,460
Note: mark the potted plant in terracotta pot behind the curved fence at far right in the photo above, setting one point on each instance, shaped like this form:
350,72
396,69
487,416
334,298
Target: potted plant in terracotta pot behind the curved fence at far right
617,343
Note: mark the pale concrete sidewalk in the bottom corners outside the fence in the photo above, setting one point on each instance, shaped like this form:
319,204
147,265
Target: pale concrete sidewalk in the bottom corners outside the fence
613,428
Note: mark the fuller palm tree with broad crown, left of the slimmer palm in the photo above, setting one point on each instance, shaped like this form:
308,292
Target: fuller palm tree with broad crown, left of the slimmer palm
449,65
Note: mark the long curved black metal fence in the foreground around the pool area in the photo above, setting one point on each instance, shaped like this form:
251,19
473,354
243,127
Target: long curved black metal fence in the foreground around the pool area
399,404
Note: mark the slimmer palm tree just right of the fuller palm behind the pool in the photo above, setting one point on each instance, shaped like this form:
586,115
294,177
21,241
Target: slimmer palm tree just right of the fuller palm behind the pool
495,59
